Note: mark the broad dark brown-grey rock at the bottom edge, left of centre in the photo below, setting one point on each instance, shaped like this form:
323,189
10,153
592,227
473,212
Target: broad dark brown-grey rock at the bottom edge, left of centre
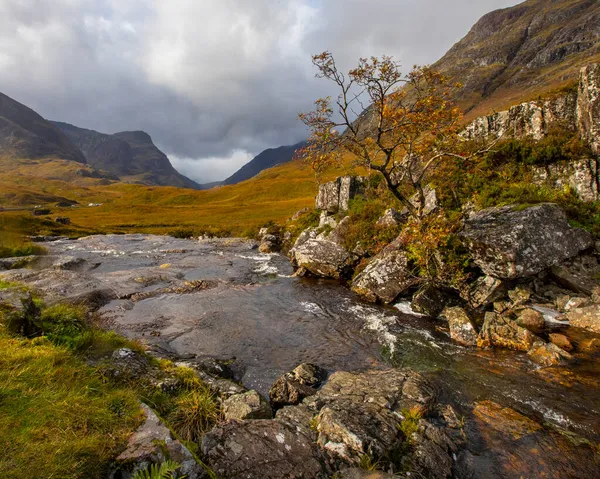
263,449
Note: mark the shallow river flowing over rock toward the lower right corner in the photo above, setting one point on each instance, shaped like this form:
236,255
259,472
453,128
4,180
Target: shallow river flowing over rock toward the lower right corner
252,309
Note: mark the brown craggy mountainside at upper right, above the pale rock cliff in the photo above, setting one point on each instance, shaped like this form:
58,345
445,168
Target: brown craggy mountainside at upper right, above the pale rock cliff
518,53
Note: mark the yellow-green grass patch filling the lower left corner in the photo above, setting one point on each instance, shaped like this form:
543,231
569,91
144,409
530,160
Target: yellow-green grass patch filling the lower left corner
58,418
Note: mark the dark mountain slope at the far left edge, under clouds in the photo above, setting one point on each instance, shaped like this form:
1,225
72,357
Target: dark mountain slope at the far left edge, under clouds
25,134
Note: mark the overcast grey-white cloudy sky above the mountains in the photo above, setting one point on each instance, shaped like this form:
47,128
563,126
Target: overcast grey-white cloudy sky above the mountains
214,82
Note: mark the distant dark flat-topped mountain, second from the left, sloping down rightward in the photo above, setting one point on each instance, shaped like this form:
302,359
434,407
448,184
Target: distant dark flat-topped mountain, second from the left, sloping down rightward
130,155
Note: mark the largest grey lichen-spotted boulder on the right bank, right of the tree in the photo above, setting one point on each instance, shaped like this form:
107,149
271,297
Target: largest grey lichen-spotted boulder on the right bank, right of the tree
510,243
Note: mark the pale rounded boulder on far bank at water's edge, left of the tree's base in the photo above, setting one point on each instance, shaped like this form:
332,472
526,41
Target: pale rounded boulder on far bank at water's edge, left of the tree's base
323,258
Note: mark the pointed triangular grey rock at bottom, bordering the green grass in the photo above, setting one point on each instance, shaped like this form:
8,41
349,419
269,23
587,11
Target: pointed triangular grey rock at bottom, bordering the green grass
153,443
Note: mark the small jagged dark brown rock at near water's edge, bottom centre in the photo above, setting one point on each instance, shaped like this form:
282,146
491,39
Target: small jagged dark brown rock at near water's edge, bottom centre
291,388
